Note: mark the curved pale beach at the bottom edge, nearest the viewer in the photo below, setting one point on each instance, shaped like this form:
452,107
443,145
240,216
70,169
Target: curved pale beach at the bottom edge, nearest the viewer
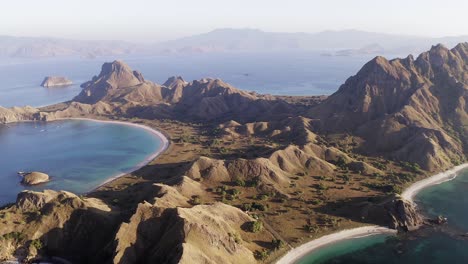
297,253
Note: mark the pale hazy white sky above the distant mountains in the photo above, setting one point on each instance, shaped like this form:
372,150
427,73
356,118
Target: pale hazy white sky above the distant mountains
152,20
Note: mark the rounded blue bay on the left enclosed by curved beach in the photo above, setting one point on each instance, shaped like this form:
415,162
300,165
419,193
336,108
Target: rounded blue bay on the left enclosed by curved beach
78,155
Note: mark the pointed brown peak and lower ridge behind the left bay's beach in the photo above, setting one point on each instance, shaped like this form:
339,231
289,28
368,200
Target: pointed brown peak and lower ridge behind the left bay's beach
205,99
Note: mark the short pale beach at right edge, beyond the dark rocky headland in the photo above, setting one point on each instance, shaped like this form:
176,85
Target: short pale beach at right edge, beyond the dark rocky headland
439,178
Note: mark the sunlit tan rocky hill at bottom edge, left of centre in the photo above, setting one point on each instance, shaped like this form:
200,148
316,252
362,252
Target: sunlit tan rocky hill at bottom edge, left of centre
169,231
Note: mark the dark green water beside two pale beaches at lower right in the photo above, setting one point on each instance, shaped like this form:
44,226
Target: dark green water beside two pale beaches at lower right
442,244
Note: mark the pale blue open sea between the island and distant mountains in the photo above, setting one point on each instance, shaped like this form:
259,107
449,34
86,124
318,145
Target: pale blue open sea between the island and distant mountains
273,73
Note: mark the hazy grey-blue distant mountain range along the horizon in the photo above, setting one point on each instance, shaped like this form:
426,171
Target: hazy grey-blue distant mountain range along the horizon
341,43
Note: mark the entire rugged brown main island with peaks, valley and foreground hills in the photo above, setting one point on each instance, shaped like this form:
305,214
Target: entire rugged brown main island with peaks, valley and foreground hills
247,176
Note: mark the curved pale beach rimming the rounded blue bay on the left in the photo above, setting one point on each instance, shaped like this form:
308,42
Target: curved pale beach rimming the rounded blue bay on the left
158,134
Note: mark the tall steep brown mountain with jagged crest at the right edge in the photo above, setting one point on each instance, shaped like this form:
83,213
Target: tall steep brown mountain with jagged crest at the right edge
405,109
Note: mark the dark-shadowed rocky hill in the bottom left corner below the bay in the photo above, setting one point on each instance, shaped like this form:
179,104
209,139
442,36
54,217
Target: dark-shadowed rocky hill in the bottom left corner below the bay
64,222
